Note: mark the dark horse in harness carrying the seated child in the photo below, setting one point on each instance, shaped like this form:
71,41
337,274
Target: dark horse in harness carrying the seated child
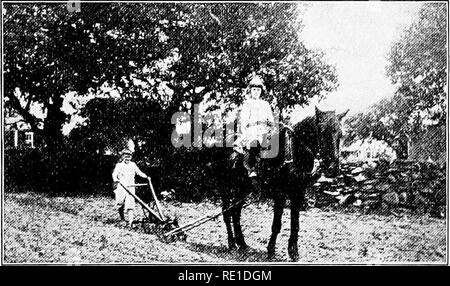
282,177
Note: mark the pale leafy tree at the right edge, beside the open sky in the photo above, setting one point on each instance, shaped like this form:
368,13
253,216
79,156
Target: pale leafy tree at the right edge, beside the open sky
418,65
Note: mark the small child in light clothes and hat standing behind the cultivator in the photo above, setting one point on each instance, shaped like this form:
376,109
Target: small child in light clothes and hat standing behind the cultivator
124,172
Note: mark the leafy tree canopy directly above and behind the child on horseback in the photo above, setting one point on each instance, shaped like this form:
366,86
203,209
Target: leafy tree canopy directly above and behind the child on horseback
223,44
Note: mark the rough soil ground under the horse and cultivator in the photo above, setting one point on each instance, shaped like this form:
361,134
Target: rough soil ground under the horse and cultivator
72,230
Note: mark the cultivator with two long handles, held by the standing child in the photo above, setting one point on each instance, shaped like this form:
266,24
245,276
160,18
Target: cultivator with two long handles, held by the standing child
155,222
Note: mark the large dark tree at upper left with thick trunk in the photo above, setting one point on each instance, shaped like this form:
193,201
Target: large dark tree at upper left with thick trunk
50,51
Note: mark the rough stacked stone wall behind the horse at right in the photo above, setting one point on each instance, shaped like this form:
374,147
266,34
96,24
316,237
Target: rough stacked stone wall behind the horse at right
374,186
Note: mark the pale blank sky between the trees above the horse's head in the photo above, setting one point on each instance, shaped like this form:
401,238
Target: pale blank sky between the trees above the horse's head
356,37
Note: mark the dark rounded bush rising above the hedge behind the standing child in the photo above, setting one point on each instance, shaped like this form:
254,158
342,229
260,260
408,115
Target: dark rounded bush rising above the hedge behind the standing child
110,122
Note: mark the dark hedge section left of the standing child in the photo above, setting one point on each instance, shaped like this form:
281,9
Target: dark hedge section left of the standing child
65,171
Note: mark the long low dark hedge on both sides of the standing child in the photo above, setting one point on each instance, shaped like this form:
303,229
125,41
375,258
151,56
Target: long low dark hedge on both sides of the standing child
73,171
